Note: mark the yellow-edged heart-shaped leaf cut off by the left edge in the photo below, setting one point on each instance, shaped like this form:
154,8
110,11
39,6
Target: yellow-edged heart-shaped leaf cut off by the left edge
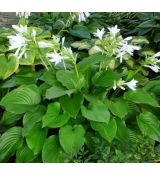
8,66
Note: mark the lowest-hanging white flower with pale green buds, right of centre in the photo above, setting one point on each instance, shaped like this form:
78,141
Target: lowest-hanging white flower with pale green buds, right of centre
121,83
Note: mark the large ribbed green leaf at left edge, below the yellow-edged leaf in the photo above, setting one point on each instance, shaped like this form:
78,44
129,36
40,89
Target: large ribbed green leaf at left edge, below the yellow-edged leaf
21,99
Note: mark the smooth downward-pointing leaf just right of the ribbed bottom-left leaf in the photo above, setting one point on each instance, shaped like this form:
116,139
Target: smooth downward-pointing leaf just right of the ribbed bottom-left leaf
35,138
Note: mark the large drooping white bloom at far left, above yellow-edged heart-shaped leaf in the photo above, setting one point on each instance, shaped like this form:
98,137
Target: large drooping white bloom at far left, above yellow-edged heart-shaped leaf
18,42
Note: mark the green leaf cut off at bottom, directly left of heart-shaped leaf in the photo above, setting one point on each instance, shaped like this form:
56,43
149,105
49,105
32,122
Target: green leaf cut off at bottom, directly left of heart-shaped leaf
52,151
